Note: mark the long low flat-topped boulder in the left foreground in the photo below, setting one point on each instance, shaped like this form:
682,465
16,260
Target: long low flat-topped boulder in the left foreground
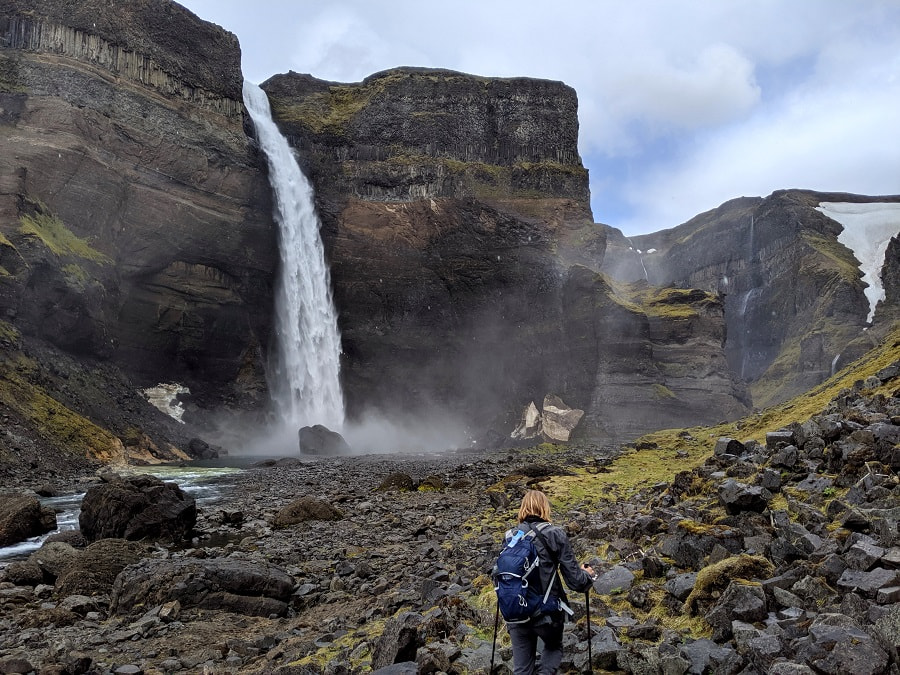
241,586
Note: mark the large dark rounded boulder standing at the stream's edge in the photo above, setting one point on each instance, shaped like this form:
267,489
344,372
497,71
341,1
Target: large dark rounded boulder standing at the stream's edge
137,507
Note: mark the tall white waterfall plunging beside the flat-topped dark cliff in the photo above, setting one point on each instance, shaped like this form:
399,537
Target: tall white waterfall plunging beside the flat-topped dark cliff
304,371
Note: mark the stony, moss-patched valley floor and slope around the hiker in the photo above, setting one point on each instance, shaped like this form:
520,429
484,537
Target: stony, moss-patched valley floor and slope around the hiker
775,557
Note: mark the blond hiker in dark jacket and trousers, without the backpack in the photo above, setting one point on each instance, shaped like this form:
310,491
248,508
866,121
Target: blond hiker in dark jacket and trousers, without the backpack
534,514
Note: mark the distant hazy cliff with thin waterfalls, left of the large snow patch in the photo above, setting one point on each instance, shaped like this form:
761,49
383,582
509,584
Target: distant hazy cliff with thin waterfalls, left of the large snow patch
794,300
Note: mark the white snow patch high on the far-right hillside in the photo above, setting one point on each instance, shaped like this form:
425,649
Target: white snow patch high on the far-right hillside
867,230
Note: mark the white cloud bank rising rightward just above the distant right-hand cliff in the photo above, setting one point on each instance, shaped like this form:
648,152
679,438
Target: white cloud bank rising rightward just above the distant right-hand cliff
838,139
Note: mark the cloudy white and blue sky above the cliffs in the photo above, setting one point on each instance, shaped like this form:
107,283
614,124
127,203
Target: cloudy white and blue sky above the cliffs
683,104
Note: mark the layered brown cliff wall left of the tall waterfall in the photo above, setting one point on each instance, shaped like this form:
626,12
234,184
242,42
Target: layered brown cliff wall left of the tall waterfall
134,215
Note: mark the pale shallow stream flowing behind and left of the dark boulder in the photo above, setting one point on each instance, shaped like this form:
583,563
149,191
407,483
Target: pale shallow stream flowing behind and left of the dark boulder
203,482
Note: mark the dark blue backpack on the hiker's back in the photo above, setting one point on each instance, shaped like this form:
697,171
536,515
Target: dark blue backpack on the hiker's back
517,580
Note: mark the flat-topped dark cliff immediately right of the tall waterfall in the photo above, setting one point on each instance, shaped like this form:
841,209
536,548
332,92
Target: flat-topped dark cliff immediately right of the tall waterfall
456,215
